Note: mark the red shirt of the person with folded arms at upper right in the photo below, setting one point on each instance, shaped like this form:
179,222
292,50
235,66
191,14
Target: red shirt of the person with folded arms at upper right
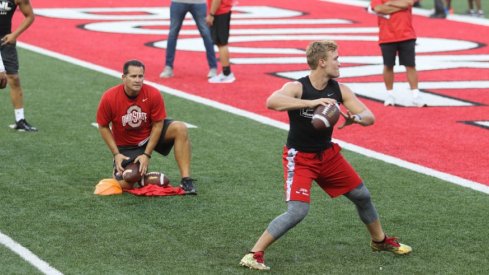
399,27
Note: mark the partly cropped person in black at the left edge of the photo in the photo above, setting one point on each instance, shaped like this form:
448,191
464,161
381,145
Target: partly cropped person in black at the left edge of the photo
8,50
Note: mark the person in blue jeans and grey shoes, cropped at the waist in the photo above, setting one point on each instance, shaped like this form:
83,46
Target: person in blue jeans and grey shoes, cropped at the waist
178,11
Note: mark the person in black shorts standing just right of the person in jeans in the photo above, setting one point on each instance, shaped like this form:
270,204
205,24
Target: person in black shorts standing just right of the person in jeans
219,20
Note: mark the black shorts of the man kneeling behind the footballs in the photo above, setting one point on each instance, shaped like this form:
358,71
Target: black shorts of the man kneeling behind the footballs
133,152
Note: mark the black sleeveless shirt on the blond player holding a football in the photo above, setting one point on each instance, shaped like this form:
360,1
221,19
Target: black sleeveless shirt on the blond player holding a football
302,135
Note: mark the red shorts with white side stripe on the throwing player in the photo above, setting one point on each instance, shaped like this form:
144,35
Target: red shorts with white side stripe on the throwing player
328,168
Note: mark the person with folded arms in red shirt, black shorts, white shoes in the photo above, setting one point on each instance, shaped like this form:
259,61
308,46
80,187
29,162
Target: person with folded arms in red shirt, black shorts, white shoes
397,37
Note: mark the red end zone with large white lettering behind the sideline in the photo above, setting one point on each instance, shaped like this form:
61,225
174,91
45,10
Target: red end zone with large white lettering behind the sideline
267,45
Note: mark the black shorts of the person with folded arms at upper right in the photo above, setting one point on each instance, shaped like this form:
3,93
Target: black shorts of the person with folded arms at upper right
405,49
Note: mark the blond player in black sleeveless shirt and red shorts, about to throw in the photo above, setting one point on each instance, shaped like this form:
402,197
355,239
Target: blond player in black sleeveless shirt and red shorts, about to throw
310,155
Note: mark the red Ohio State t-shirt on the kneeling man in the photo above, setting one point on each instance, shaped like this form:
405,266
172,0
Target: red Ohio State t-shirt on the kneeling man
131,118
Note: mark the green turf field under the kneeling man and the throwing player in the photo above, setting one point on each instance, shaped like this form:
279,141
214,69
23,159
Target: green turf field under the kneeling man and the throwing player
47,180
